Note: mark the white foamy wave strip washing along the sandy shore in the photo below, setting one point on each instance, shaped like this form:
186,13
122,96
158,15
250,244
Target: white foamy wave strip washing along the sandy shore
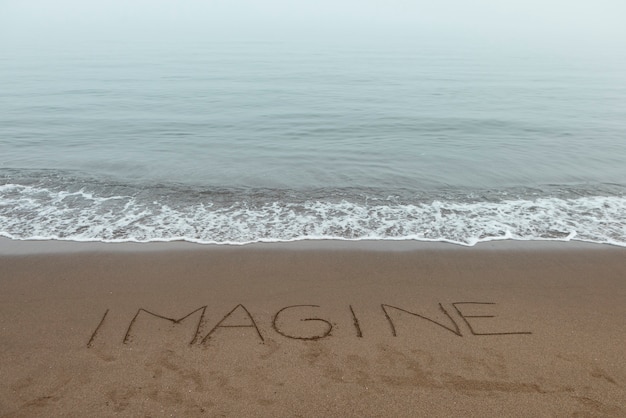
37,213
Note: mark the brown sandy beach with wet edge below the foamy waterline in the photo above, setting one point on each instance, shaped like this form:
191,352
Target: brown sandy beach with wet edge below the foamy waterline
312,329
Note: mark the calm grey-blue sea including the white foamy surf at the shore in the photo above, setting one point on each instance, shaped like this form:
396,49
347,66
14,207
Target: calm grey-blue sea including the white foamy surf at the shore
236,142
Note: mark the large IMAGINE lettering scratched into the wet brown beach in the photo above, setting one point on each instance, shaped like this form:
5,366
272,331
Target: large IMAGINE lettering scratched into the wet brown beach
294,322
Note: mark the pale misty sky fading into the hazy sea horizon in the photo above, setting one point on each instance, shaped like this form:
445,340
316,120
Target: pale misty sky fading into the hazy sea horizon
541,23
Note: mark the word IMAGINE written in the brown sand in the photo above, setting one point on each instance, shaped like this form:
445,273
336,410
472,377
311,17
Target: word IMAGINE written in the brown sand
316,328
